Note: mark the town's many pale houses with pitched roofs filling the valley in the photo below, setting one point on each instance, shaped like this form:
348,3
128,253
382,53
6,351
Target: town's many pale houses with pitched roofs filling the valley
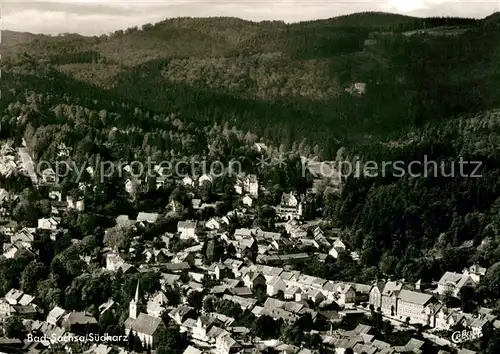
263,262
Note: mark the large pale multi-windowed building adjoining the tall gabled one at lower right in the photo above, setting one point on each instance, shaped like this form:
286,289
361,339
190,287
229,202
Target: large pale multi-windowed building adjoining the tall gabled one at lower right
416,307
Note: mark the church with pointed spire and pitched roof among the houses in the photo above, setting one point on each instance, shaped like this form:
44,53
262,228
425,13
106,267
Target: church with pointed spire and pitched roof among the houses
142,325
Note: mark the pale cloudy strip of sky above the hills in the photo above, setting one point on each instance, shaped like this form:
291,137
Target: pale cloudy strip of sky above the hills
92,17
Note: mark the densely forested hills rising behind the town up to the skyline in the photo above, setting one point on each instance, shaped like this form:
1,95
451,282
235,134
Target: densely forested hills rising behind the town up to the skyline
287,82
